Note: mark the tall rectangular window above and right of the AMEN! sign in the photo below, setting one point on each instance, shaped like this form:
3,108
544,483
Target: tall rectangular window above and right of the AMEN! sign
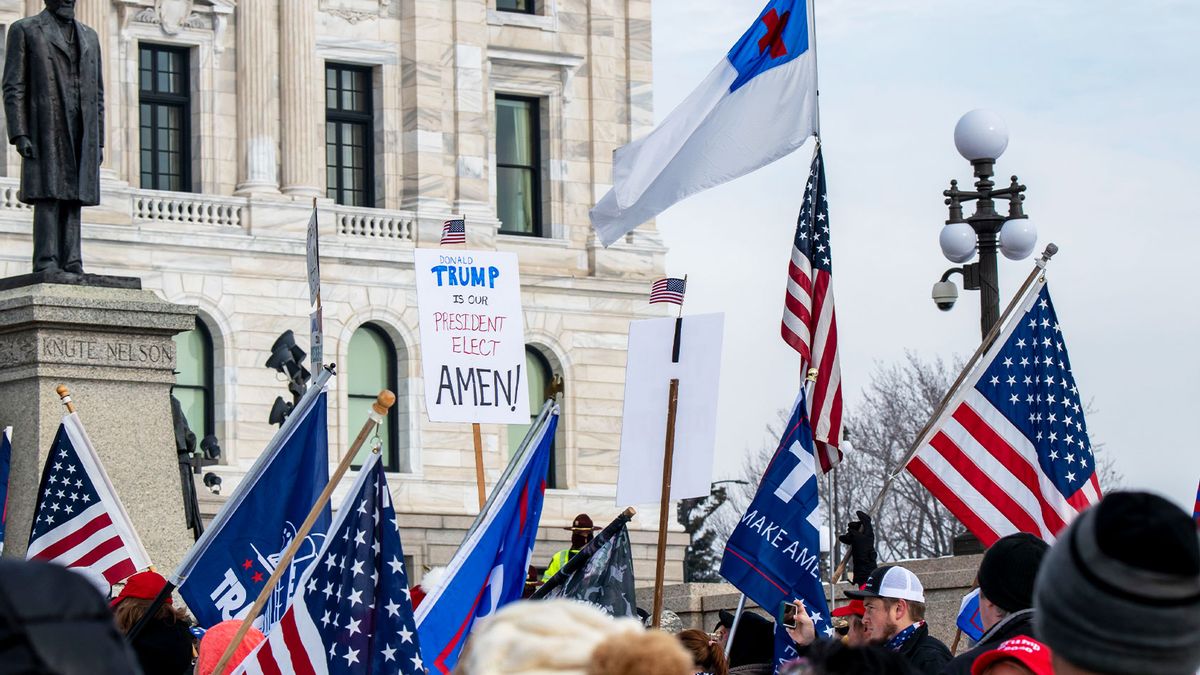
518,166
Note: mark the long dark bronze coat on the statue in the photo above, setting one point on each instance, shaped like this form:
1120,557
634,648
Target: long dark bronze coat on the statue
39,83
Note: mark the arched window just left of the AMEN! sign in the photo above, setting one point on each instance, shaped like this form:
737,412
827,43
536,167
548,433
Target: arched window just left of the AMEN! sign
373,368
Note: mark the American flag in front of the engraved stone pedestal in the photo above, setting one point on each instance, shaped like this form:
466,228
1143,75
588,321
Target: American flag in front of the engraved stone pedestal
79,521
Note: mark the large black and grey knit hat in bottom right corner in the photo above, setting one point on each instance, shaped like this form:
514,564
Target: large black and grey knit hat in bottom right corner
1120,590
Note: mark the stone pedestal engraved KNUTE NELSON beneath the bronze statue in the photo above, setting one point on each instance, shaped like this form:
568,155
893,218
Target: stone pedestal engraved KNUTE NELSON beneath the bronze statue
113,349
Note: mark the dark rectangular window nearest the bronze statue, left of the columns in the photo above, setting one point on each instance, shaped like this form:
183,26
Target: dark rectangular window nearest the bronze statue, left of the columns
165,100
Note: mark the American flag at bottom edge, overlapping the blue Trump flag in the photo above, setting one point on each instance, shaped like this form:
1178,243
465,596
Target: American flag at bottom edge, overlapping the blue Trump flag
353,612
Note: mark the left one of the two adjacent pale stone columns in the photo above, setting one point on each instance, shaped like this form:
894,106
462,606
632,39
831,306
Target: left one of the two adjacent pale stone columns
259,103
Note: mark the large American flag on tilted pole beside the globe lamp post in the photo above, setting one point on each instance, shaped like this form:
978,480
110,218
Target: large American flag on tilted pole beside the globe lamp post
1011,452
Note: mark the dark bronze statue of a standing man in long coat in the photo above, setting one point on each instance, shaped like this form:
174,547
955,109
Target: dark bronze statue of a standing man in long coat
55,100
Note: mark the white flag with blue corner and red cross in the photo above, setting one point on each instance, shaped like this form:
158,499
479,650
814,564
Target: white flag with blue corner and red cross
757,106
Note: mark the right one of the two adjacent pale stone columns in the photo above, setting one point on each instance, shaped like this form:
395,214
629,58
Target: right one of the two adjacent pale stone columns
299,80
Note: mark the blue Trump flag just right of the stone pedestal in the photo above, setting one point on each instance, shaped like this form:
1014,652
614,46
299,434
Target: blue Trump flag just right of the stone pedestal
224,574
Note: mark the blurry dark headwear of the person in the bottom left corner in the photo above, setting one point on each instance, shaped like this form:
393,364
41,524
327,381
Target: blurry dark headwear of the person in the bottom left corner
53,622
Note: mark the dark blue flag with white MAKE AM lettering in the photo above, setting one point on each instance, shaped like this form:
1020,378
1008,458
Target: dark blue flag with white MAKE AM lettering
775,553
